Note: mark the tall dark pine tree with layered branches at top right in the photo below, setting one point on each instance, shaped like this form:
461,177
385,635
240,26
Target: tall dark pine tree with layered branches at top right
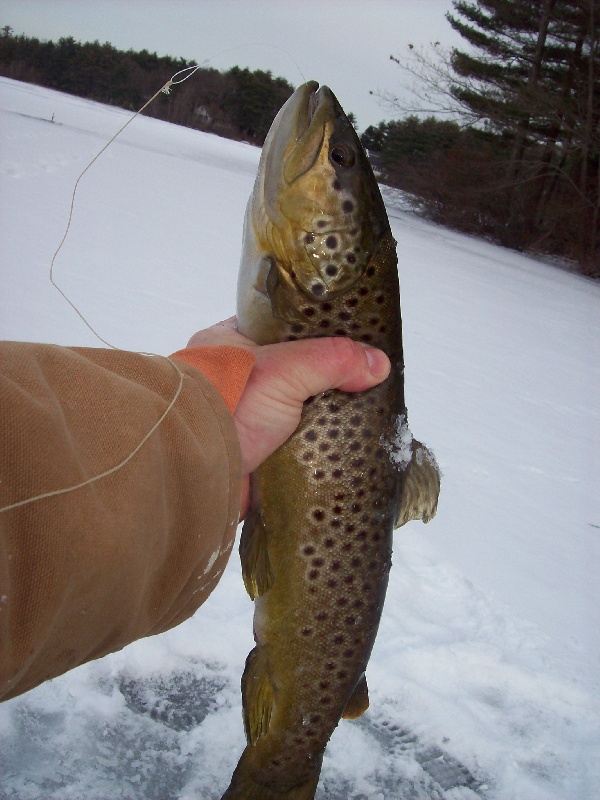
533,73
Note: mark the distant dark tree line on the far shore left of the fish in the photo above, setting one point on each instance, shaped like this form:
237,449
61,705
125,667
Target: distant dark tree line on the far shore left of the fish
238,104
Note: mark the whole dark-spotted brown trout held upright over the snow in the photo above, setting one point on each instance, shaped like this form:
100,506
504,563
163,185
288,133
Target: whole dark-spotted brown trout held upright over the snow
319,260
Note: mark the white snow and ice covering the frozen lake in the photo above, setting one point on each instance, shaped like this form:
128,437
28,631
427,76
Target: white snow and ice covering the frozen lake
485,676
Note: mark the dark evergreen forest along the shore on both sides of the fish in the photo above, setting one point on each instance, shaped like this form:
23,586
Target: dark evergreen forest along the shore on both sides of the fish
505,146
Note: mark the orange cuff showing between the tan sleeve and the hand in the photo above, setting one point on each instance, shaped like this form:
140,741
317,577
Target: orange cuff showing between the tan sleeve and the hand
227,368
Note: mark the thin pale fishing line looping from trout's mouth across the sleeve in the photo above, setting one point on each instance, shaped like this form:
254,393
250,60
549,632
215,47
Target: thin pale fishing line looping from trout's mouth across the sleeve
175,80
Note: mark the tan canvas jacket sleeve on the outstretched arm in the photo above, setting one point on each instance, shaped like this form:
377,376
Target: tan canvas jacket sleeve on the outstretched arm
85,572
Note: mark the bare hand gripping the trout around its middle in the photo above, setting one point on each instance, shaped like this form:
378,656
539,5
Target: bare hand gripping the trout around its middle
284,376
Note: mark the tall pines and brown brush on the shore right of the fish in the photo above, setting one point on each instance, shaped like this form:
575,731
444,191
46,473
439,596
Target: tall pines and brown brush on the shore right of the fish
521,162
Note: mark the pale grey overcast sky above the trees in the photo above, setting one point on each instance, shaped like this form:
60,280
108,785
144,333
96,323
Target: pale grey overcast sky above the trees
345,44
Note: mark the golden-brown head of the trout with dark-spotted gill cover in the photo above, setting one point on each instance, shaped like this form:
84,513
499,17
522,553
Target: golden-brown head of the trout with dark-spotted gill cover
316,215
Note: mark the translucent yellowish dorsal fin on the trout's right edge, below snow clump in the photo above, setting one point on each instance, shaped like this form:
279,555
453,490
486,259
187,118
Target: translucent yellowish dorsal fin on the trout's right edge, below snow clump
421,486
